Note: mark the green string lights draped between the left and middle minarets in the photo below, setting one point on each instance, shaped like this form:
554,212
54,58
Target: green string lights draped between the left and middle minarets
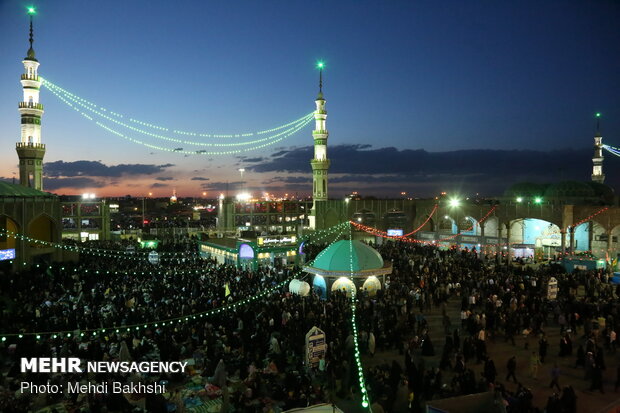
57,90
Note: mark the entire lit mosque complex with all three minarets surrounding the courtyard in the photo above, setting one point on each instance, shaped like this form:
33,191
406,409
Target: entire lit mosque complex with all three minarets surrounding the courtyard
528,220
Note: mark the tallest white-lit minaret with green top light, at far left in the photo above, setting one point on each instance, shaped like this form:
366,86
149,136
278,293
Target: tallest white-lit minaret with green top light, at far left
30,149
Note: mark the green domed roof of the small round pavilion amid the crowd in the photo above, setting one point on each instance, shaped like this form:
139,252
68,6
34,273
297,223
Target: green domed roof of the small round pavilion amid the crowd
337,257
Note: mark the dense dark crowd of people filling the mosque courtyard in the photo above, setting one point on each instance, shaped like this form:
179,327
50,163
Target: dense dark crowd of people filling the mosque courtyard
253,356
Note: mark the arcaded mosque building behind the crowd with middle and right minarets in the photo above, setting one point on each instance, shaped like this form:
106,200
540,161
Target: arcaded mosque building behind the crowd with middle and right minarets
528,220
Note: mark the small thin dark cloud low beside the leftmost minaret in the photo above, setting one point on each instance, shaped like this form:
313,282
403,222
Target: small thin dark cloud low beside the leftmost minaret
97,168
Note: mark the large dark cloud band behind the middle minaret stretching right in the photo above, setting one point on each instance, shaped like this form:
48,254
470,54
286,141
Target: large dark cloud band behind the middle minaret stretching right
388,171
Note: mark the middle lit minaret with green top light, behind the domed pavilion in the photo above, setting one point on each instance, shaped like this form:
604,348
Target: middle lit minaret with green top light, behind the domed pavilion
320,163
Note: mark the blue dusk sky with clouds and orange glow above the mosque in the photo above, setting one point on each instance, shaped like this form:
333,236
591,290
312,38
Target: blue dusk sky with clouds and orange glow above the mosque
466,96
